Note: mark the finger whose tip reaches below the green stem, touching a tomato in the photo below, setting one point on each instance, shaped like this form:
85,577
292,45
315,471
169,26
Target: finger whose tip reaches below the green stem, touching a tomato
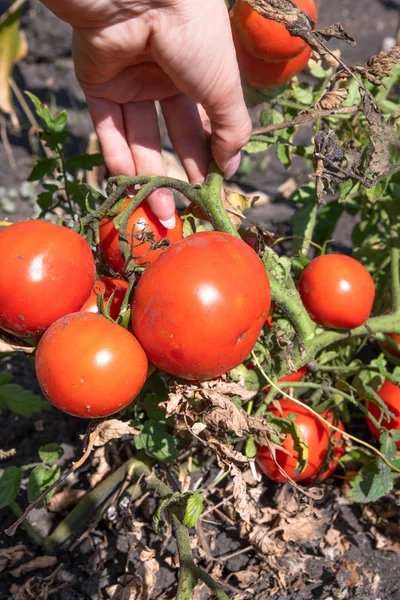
143,138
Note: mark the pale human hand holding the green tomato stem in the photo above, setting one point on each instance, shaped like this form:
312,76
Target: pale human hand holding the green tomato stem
129,54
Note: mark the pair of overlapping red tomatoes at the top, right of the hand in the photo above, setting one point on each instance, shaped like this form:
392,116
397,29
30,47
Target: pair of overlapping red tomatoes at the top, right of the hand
268,56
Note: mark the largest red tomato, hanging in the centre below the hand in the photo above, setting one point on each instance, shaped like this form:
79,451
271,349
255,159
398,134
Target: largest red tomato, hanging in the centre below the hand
198,310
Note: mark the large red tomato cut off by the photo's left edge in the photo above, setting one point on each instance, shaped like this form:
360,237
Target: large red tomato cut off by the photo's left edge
46,271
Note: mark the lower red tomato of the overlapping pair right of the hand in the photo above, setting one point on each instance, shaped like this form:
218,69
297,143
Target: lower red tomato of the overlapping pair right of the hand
261,74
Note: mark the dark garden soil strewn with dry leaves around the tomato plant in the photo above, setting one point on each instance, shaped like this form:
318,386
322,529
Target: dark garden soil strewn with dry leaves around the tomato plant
329,549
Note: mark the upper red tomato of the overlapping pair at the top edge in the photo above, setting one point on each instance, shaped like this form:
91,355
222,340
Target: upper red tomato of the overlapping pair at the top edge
266,39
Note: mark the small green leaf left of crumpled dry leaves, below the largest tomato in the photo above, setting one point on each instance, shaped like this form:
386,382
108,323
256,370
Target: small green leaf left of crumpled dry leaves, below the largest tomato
157,442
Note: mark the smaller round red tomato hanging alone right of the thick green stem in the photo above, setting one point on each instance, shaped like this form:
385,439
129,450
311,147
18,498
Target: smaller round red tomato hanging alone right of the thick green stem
337,291
